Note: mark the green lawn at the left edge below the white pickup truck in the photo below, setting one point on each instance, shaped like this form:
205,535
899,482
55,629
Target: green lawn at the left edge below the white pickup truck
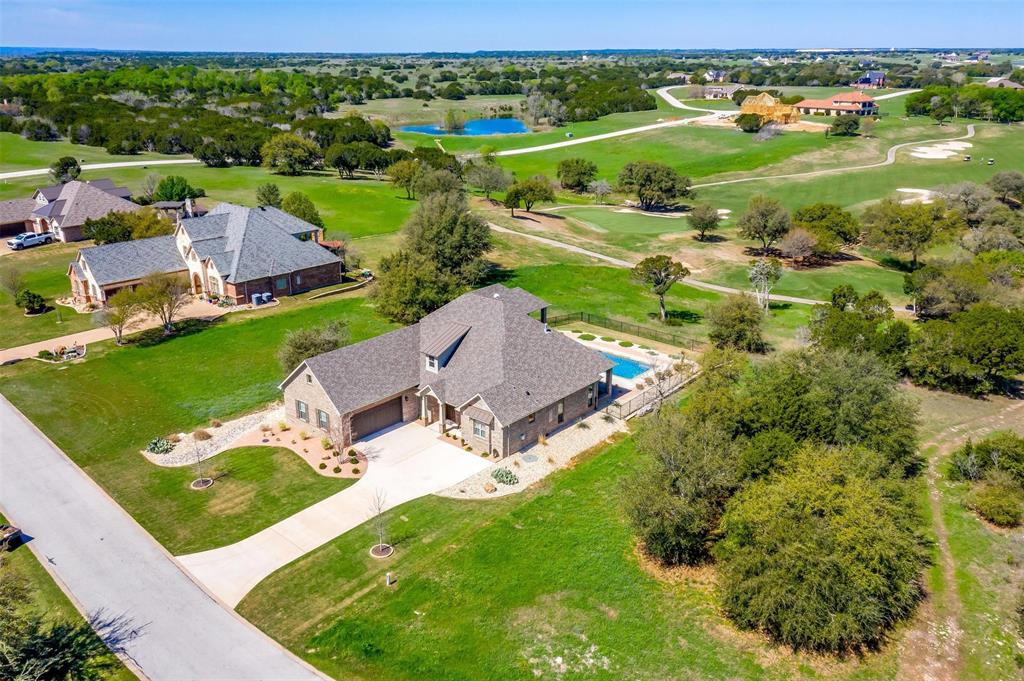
45,270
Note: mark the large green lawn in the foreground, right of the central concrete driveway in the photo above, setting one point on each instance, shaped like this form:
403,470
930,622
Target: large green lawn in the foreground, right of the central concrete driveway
544,584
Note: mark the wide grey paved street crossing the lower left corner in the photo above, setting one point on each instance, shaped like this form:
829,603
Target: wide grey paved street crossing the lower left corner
110,564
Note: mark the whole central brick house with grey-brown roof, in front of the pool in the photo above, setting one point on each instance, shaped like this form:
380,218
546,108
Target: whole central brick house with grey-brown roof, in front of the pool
481,364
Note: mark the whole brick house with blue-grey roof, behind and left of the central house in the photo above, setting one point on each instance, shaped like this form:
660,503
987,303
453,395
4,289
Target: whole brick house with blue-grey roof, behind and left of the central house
232,252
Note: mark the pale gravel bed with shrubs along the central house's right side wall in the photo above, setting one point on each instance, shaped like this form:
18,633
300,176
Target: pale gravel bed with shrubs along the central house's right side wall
539,460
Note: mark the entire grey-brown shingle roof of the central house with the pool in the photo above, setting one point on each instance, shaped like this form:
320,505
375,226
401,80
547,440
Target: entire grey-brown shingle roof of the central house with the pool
507,358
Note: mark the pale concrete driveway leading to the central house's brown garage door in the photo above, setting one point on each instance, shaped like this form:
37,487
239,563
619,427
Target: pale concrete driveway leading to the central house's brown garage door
405,462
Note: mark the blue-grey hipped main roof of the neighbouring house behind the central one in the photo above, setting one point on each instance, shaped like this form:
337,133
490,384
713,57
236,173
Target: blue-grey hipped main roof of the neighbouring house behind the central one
252,243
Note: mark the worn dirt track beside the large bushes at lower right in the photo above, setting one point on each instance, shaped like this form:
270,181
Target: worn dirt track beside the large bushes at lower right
931,650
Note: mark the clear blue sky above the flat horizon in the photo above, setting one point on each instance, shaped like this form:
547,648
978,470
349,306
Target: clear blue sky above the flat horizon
387,26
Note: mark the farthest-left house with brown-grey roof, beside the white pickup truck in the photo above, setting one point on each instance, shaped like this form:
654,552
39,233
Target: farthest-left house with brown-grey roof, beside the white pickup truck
63,209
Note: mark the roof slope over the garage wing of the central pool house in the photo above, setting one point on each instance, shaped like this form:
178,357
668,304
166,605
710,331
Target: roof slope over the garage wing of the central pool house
362,374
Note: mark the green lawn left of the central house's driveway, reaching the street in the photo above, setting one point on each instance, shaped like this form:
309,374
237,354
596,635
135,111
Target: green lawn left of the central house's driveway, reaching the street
104,411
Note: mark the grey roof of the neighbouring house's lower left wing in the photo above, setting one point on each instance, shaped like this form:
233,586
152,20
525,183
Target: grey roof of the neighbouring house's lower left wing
131,261
